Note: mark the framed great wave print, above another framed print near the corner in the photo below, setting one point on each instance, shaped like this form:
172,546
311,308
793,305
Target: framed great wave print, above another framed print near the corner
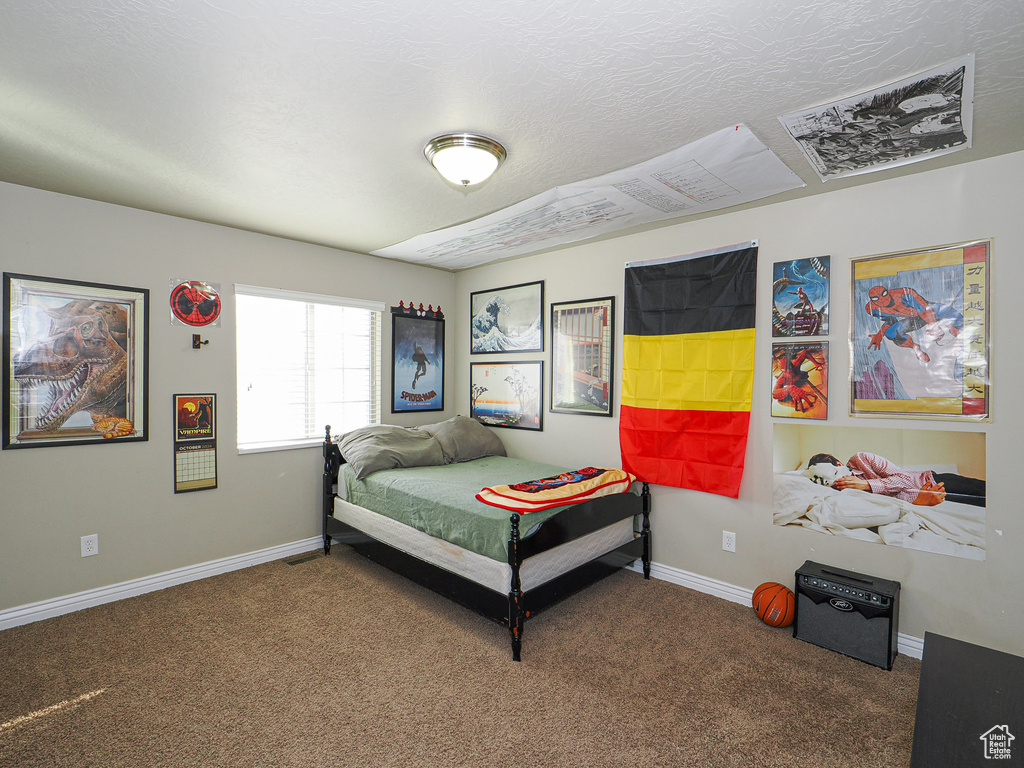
507,320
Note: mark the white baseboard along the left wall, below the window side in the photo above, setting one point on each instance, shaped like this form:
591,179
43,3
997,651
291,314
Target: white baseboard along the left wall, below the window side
60,606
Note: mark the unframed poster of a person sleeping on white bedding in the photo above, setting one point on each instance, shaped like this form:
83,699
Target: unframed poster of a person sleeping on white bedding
916,489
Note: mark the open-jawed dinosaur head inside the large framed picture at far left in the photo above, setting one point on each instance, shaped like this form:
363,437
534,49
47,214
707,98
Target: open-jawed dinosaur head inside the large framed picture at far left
81,366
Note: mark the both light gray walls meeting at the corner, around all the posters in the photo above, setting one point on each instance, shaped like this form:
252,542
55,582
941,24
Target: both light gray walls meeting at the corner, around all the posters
52,497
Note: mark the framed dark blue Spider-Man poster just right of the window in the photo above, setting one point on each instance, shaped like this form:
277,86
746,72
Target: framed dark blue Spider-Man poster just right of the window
417,359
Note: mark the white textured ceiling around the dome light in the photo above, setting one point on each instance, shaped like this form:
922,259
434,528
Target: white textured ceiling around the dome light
307,119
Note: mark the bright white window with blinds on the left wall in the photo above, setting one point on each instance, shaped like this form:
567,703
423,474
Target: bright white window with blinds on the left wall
305,361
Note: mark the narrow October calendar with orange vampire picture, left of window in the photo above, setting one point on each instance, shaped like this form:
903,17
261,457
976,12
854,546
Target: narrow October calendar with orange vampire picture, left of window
195,443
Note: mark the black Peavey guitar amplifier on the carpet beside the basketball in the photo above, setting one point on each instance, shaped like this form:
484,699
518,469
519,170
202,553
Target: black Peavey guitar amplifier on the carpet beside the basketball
851,614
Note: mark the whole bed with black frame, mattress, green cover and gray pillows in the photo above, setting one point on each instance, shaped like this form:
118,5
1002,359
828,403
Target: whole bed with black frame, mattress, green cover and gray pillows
399,496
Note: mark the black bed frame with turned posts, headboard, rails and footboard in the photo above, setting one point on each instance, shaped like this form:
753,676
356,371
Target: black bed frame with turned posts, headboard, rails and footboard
511,611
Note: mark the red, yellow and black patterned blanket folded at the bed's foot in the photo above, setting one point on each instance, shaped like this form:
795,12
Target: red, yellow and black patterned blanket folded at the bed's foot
568,488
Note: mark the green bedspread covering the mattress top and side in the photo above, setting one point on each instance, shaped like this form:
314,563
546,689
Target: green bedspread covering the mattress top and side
441,501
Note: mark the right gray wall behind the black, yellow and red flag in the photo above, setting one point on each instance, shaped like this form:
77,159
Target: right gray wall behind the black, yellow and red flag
974,602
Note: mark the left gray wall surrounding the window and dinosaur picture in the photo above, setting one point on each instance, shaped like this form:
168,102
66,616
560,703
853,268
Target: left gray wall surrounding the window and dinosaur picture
52,497
